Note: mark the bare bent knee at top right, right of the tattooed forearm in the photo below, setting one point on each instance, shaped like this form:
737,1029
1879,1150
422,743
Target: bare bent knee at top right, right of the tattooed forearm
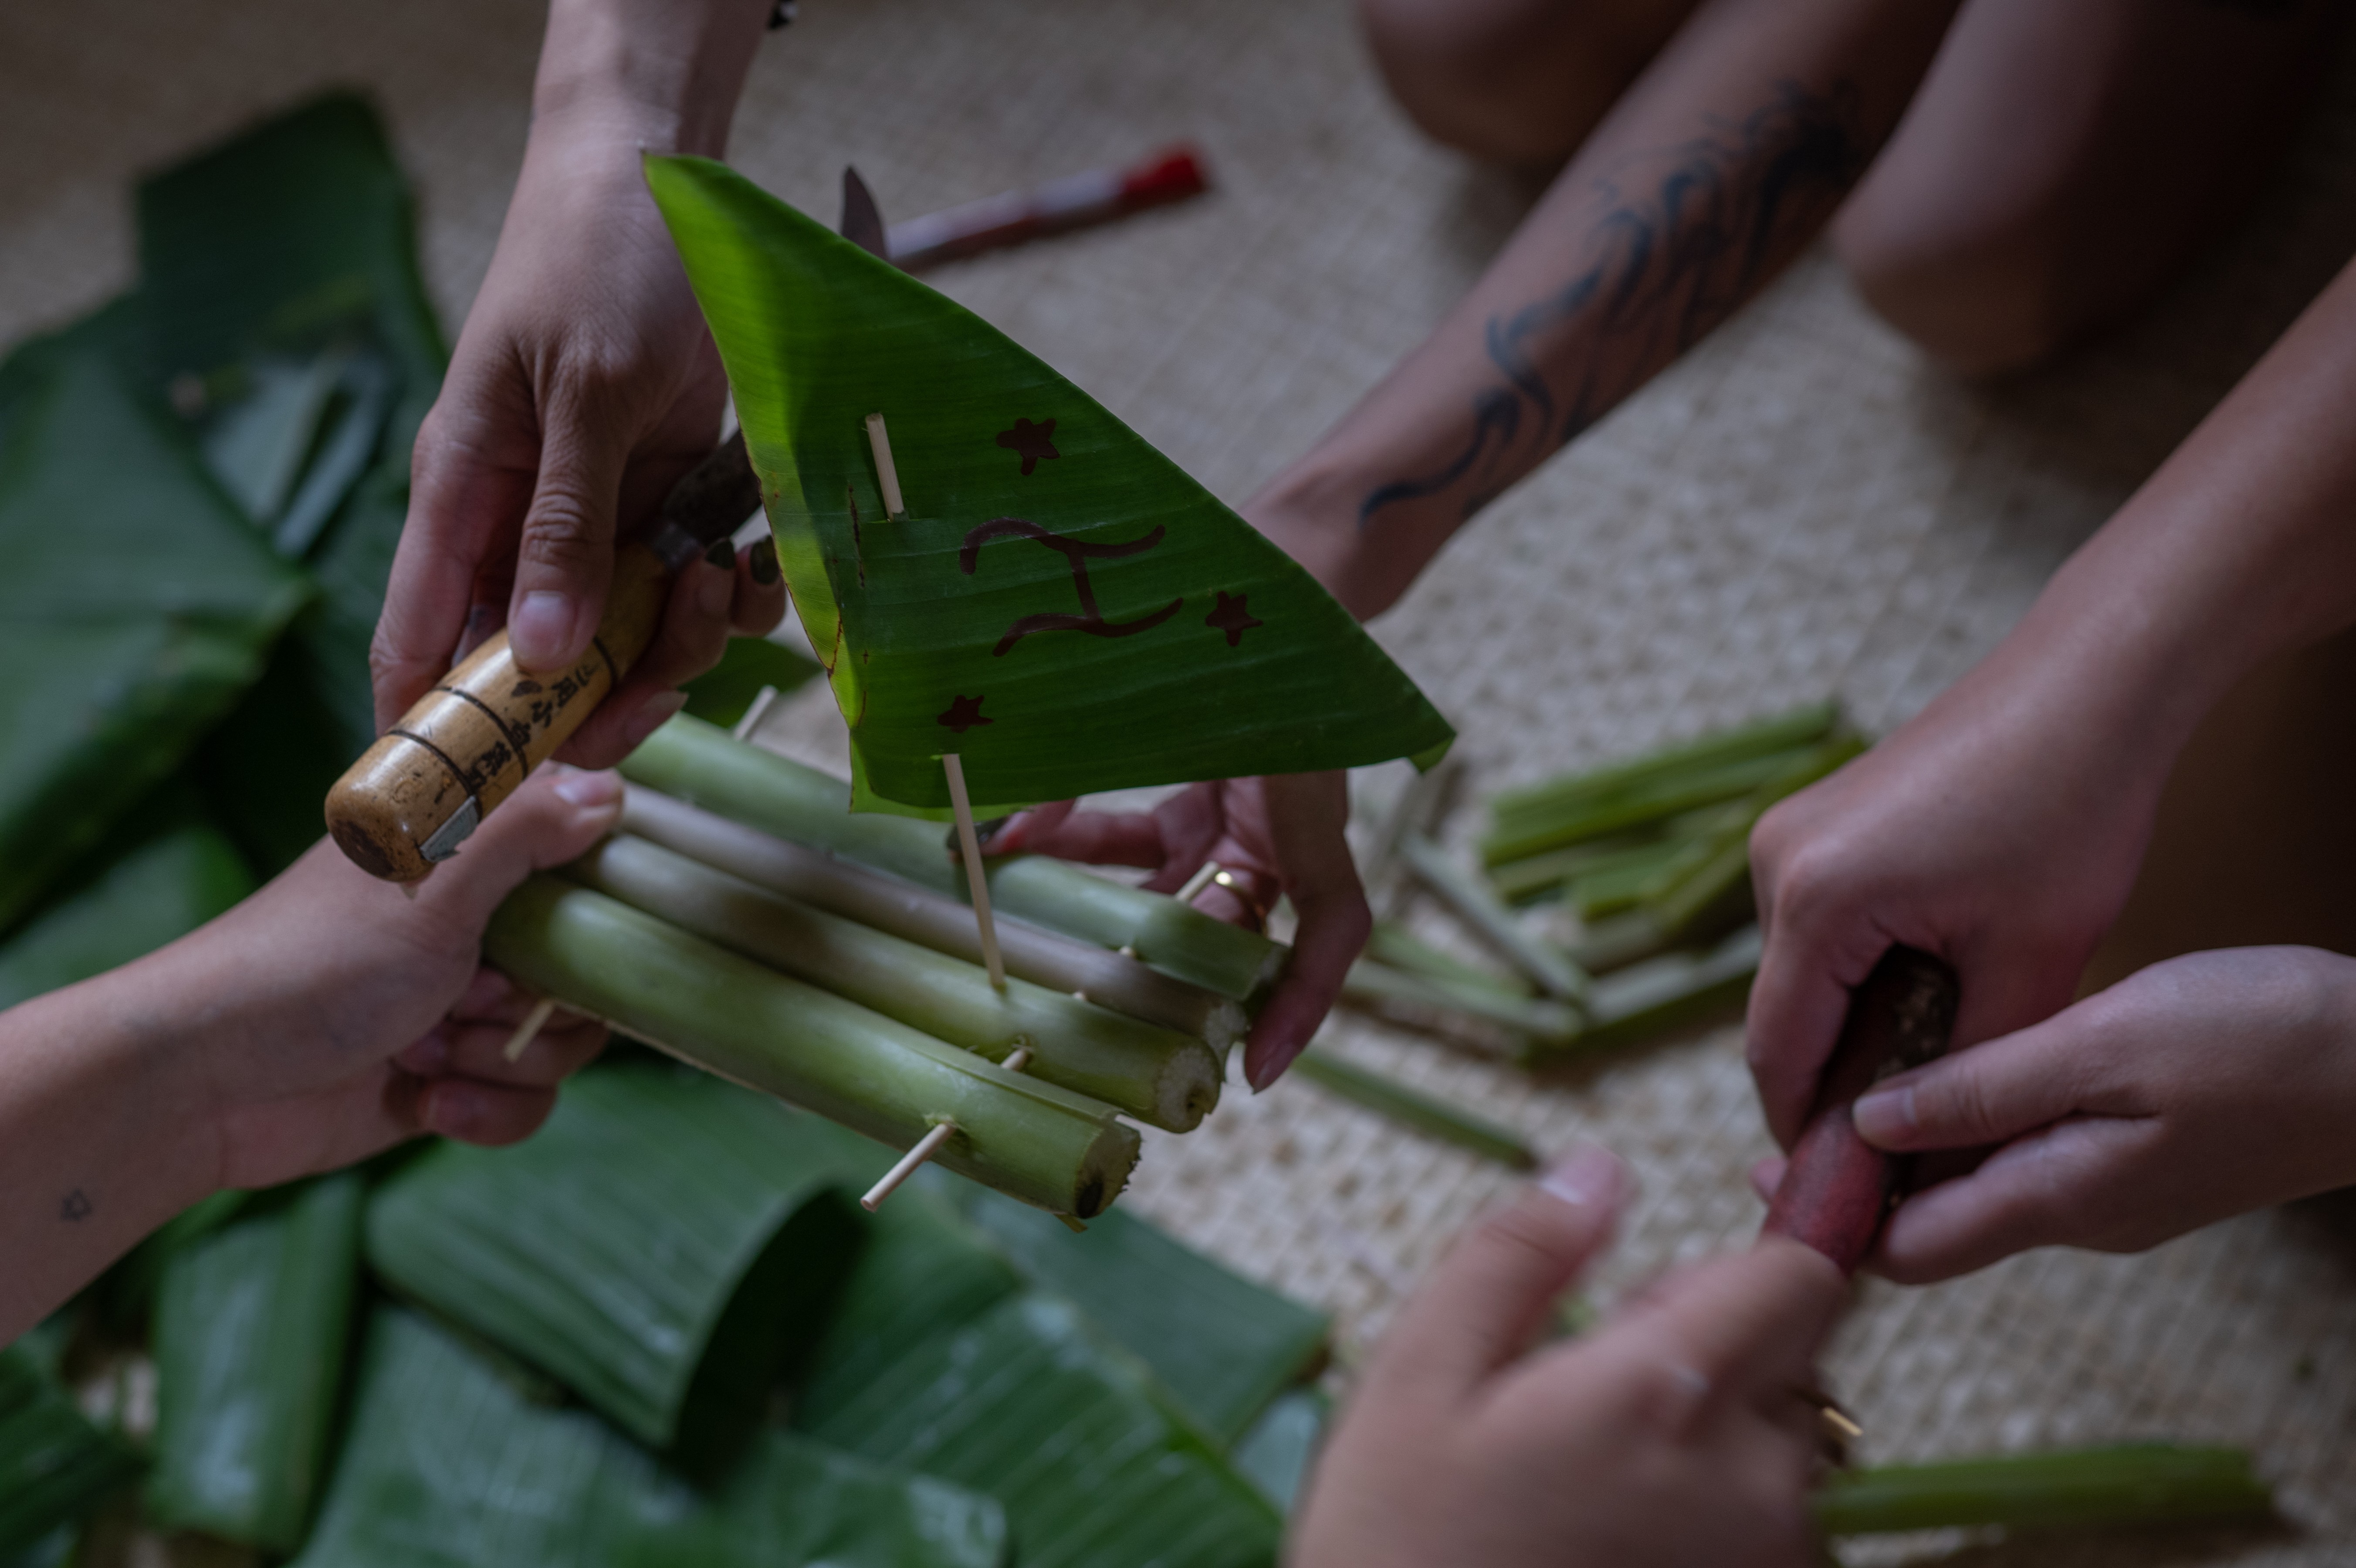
2065,161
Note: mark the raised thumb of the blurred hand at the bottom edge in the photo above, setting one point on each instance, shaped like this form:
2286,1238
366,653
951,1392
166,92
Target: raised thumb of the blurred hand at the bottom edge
1495,1287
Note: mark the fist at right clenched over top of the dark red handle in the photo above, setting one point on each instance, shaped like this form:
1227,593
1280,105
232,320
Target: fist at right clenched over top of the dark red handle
2001,832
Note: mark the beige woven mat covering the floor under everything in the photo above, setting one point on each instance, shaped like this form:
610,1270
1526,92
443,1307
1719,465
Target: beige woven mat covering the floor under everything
1799,507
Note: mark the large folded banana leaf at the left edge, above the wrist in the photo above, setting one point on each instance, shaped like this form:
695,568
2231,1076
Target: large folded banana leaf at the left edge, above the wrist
135,604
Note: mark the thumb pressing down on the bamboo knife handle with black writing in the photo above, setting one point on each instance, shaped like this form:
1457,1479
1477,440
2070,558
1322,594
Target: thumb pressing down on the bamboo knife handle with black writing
564,554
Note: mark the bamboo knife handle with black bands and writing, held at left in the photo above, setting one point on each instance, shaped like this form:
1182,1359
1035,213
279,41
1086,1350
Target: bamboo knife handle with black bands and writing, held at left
477,736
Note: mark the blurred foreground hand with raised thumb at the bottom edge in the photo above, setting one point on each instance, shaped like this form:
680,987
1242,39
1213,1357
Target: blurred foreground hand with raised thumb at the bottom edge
1681,1433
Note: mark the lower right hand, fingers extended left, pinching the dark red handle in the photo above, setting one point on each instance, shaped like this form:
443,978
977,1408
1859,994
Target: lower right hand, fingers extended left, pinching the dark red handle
2192,1091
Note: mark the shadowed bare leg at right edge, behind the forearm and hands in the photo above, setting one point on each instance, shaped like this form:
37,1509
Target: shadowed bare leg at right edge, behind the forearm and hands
2258,830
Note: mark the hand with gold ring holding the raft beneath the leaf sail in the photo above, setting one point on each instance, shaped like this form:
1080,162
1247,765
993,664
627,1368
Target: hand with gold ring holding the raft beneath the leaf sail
1278,837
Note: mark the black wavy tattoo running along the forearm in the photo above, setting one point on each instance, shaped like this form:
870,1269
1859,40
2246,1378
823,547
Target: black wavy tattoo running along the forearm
1662,272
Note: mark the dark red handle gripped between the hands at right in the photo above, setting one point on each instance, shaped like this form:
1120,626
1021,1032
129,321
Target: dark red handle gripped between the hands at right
1837,1188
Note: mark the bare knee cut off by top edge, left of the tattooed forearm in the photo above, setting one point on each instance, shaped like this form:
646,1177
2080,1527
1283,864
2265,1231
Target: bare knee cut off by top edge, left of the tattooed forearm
1516,81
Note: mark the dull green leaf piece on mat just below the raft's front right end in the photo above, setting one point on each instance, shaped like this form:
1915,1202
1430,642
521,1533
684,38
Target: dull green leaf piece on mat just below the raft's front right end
1219,1343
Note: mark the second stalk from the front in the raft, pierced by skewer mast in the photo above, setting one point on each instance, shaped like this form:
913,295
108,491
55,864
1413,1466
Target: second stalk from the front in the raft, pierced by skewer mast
1156,1075
